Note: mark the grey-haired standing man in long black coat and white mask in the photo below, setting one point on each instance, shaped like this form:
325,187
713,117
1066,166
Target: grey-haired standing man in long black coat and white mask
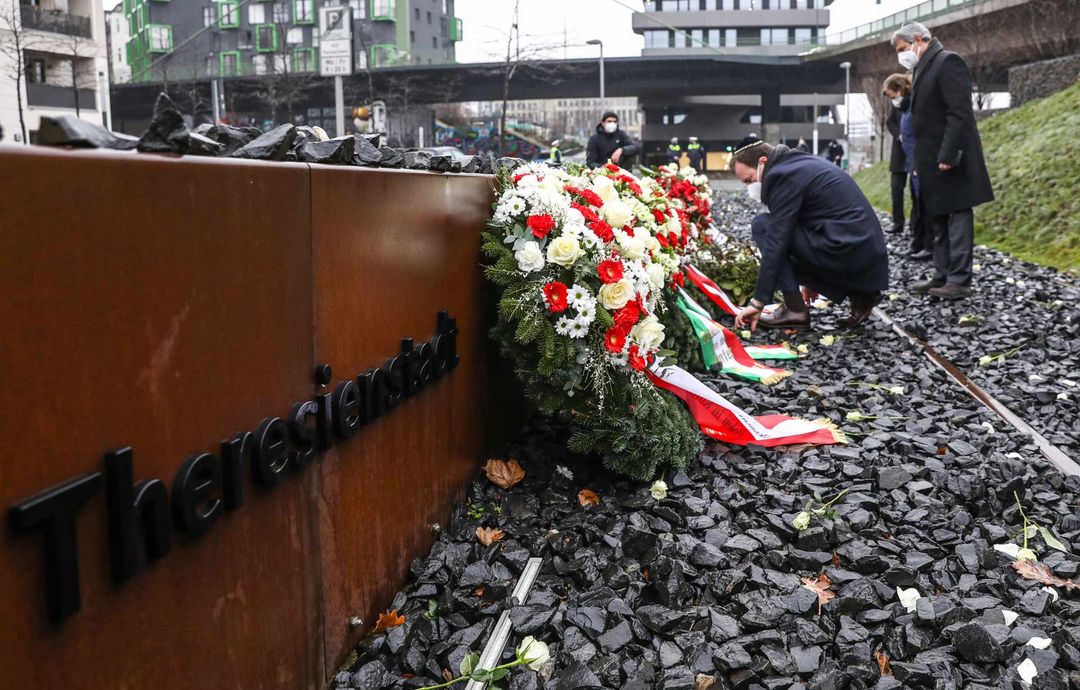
949,157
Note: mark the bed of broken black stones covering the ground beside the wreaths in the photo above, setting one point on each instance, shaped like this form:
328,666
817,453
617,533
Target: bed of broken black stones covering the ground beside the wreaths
704,589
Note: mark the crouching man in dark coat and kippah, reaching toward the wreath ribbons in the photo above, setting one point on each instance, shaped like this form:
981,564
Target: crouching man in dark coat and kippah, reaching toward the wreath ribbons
821,233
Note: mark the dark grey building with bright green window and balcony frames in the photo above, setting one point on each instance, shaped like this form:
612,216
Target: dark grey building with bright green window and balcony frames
202,39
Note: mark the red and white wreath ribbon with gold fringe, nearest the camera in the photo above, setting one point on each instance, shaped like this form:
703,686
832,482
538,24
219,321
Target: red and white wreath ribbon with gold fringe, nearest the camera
721,420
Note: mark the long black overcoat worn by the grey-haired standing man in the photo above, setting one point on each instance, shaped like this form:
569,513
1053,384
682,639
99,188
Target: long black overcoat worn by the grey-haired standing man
946,132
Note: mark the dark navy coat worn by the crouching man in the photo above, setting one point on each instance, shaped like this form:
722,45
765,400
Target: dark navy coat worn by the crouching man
845,246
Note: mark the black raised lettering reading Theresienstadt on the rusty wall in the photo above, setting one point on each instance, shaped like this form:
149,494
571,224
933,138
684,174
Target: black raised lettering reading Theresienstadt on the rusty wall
142,516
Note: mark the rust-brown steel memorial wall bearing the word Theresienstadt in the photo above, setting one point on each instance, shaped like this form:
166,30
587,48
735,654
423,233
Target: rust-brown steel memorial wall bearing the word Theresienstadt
168,305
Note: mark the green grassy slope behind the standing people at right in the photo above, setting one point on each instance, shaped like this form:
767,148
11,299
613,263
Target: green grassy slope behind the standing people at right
1034,159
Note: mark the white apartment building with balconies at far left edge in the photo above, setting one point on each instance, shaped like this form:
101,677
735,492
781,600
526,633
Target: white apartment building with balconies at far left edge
65,64
